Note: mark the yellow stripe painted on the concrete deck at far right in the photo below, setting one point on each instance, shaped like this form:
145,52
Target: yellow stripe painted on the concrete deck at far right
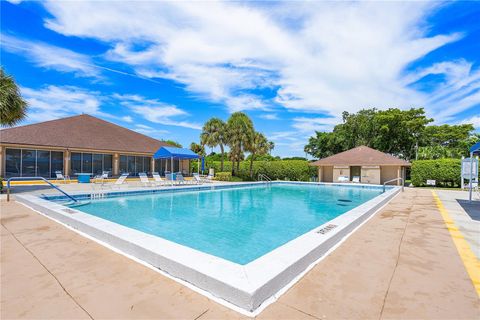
470,261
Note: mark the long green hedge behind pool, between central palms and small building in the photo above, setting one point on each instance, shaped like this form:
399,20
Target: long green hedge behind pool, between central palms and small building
294,170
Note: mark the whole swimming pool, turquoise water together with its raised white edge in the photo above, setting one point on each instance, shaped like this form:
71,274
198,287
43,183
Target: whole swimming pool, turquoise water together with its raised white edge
240,244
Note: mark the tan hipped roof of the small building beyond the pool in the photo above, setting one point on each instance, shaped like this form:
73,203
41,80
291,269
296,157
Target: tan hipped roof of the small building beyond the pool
361,156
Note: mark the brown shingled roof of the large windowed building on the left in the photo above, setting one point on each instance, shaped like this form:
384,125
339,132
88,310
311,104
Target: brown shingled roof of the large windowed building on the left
82,132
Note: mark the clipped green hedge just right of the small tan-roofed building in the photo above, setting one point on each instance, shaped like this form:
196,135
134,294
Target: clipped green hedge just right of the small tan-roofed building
446,172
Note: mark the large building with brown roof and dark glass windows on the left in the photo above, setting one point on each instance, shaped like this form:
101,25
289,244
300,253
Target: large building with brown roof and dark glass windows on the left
80,144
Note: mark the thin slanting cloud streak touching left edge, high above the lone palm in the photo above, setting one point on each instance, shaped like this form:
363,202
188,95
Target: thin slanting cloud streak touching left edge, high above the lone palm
51,57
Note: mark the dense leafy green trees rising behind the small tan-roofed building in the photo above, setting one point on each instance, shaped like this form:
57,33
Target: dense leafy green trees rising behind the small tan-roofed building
403,133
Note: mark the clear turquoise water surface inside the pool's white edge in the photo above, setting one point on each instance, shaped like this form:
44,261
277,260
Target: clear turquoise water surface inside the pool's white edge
238,224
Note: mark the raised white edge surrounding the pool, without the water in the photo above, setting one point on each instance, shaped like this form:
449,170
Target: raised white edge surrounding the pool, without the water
245,286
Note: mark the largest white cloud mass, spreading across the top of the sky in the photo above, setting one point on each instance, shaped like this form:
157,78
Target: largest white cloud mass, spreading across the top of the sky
323,57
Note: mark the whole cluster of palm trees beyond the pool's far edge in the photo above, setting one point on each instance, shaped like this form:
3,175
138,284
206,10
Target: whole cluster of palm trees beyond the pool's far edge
239,135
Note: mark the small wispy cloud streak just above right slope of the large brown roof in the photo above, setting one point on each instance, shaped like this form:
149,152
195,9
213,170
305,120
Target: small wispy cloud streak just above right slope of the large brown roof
156,111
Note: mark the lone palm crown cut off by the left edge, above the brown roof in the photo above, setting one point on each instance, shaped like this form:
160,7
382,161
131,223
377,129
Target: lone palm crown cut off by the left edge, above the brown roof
13,108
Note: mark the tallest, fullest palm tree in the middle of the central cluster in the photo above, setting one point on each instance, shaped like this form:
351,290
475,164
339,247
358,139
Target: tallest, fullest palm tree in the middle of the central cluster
239,133
